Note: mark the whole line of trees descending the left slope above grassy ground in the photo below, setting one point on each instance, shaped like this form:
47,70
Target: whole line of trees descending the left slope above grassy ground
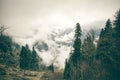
11,54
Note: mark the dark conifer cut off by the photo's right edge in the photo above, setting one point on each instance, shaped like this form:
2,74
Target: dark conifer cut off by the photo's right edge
116,55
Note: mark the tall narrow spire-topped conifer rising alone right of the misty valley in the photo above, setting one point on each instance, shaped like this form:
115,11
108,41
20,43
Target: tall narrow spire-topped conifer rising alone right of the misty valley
73,65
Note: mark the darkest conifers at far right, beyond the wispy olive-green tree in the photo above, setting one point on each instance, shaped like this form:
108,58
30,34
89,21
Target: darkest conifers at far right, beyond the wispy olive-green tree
108,51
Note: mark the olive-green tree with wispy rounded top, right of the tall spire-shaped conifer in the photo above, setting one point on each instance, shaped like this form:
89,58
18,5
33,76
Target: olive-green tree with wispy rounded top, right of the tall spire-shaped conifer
88,51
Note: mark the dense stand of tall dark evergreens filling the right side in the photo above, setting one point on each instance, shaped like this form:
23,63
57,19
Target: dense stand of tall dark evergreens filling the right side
87,62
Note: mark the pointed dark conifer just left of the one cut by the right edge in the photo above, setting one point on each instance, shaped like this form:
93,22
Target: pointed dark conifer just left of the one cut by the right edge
104,51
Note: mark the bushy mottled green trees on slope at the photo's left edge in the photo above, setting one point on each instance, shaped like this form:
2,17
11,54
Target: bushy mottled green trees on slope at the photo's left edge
8,51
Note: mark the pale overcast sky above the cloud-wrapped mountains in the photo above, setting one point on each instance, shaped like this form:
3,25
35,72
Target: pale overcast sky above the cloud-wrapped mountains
23,15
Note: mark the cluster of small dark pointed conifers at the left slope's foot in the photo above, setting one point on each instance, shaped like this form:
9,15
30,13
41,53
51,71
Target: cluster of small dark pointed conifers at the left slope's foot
30,60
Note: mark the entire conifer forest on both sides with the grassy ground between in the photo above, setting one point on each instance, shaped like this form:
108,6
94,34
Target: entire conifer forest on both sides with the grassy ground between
87,60
